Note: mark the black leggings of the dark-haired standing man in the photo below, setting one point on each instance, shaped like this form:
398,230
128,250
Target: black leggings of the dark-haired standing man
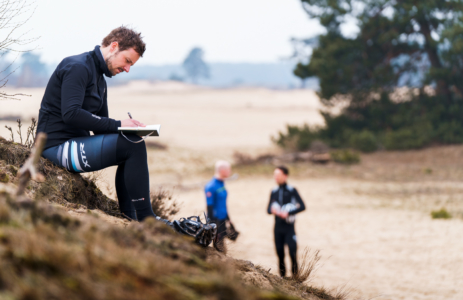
286,236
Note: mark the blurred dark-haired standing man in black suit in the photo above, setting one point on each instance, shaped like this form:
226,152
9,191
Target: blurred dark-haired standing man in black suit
285,203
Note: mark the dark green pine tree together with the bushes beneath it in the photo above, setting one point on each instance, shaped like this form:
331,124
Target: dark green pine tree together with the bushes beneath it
416,45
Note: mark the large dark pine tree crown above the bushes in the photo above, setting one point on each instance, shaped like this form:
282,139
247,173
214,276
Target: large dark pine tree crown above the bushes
404,42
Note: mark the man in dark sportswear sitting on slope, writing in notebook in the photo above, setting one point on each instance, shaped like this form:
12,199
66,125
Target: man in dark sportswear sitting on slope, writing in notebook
75,103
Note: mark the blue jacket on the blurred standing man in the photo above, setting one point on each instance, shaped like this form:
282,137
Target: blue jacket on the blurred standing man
216,197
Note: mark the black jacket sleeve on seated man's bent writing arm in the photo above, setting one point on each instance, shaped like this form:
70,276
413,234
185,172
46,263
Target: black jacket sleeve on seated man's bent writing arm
74,84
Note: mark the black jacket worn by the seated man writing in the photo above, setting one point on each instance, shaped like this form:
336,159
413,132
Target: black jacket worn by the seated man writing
75,100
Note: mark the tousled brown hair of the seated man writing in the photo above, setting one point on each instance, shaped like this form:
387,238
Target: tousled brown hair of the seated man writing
127,38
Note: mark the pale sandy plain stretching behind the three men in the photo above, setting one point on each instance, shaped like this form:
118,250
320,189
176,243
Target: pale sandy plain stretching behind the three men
371,222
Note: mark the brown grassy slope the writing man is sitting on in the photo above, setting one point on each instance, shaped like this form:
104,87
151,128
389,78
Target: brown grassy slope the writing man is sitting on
48,254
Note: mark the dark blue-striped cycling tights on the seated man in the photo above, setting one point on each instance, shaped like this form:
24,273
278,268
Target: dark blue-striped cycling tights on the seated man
93,153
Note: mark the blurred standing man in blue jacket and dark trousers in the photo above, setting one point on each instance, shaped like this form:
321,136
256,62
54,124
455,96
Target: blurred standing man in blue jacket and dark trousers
216,198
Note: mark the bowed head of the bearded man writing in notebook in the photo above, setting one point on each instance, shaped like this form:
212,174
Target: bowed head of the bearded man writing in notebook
121,49
